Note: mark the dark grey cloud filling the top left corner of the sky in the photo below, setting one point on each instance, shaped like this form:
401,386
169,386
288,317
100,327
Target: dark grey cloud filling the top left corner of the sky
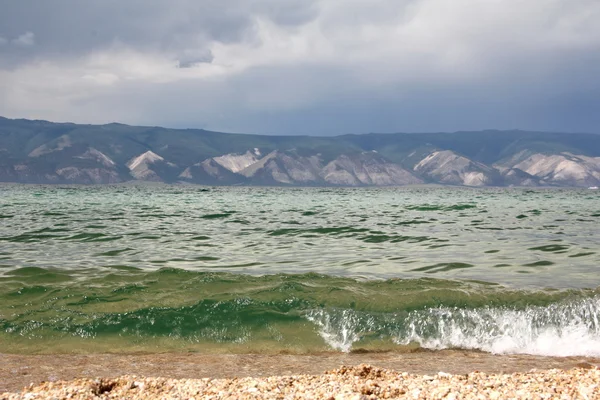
67,28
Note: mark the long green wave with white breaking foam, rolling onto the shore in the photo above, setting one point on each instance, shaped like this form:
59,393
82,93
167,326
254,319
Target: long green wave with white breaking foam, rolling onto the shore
309,312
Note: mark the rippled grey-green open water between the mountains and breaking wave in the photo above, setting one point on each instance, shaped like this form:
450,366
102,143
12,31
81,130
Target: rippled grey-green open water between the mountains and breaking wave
298,231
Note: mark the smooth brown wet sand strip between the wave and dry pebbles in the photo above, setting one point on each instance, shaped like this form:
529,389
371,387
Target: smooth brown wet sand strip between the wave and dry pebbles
18,371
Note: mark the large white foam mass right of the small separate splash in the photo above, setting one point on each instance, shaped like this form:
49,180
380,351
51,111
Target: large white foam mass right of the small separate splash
567,329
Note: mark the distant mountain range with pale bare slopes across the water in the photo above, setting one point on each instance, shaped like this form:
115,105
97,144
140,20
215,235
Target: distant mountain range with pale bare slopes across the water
46,152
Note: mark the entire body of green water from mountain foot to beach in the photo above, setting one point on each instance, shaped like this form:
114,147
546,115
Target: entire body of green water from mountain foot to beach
270,270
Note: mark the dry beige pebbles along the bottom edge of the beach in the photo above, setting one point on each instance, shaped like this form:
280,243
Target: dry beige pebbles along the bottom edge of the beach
358,382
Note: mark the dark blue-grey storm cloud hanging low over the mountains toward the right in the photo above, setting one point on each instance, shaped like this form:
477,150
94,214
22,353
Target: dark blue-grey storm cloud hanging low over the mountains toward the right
326,101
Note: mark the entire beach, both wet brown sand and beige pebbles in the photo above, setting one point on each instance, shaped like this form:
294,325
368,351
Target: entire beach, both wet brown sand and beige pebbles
298,376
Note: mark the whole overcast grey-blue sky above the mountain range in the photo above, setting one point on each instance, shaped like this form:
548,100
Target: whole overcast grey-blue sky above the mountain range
310,67
